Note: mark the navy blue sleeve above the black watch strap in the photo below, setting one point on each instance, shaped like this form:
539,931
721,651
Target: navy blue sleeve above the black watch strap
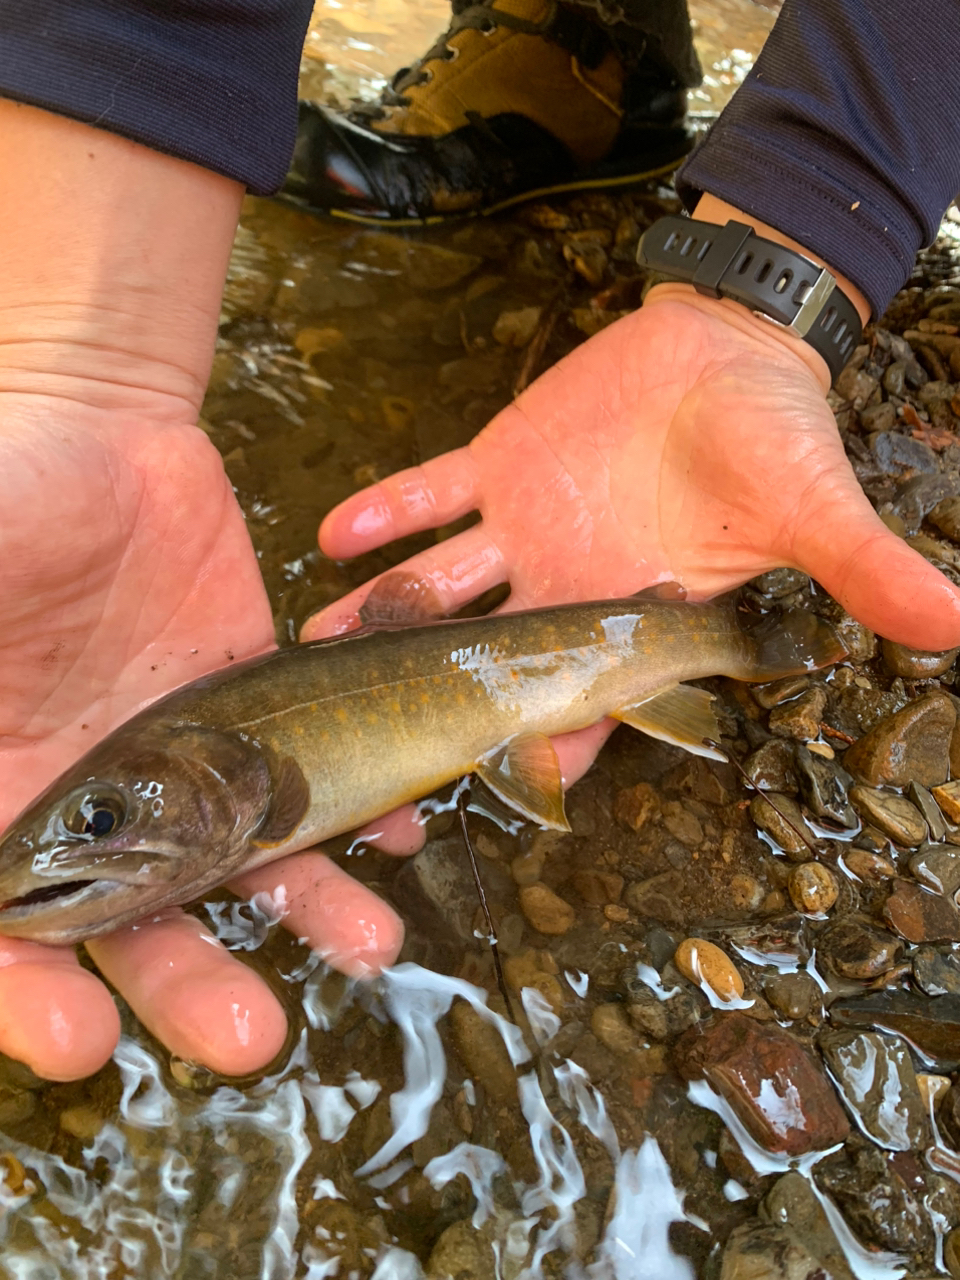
845,135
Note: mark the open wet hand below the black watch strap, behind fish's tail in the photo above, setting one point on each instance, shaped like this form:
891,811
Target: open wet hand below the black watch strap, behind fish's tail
689,442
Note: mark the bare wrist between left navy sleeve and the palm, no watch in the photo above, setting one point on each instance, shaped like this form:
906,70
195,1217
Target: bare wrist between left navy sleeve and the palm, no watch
113,259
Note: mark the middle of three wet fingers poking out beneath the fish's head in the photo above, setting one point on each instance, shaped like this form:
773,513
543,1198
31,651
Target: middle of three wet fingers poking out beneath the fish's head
193,994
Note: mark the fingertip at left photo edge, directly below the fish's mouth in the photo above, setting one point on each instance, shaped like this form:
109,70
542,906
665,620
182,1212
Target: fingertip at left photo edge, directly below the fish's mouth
54,1016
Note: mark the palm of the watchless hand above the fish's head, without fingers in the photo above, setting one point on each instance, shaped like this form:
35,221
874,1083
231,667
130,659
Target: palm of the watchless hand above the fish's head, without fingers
112,602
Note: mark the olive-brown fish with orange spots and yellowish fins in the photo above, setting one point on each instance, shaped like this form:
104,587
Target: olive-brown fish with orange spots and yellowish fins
295,747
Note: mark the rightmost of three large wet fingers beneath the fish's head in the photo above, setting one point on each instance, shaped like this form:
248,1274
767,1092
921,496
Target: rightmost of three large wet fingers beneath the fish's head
351,927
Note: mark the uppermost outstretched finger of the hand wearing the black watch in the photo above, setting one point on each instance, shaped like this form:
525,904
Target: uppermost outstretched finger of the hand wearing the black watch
409,502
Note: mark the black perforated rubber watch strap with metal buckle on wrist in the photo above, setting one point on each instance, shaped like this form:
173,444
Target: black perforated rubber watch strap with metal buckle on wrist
775,282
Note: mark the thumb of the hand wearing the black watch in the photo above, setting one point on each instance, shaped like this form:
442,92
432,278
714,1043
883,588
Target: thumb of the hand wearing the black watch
876,577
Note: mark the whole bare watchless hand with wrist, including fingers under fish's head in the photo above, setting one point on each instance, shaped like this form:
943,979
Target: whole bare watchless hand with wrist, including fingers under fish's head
126,569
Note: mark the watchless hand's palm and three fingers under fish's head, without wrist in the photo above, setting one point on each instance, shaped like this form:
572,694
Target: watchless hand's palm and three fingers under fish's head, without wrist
126,570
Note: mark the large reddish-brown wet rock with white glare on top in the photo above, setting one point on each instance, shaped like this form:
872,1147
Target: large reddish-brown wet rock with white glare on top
776,1087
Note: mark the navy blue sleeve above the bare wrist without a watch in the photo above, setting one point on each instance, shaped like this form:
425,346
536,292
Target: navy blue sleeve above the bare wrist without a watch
209,81
